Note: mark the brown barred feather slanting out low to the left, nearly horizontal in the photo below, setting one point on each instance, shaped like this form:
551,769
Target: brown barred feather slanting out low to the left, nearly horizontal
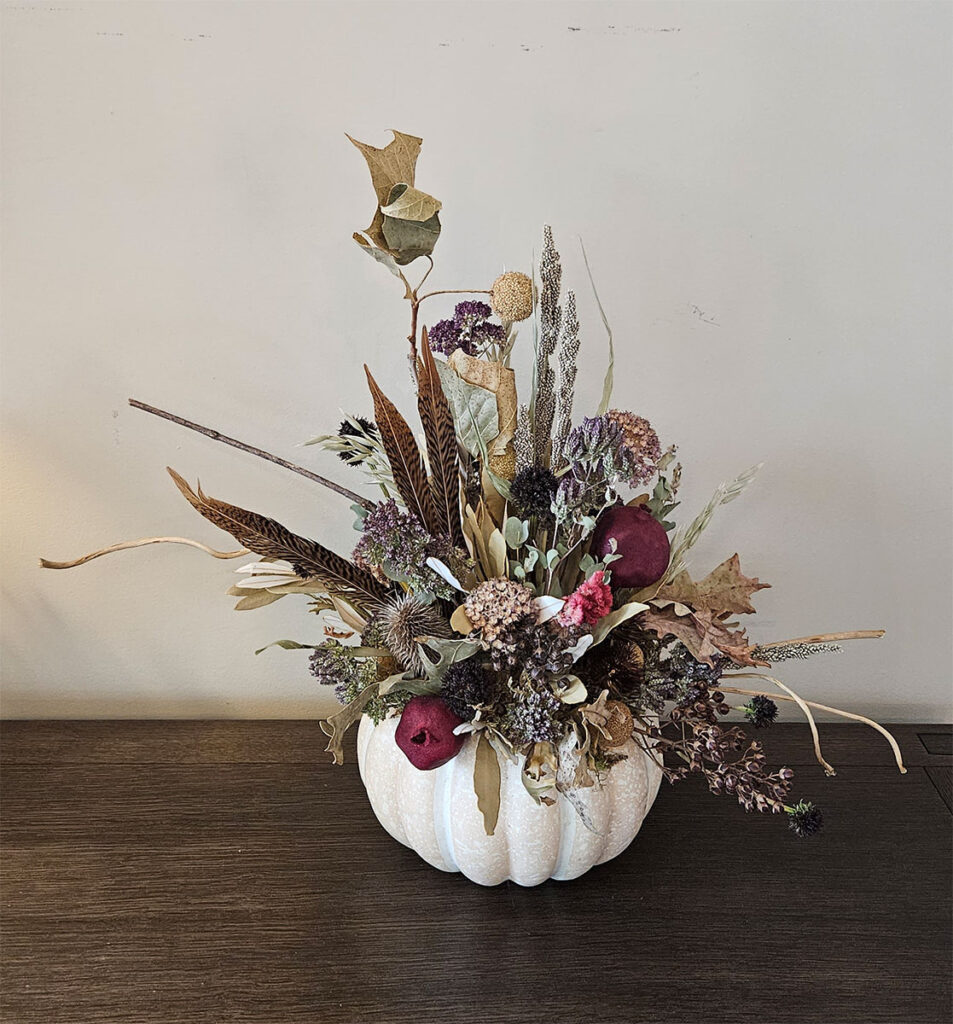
271,540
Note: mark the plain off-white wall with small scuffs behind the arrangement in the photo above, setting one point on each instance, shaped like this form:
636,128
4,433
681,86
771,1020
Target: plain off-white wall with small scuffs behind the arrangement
764,191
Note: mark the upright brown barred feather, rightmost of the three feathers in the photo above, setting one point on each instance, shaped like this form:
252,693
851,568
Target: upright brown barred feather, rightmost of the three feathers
441,436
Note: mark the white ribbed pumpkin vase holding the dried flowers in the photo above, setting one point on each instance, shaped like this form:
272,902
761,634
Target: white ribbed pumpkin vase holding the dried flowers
436,814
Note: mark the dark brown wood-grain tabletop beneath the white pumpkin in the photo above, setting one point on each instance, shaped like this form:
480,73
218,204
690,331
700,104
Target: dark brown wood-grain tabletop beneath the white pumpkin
224,872
